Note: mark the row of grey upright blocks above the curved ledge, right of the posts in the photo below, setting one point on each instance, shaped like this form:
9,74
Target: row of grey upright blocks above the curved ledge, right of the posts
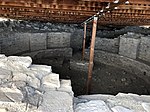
131,45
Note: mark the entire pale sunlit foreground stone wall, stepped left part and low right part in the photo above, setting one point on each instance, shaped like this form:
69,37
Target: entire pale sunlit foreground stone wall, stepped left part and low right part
26,87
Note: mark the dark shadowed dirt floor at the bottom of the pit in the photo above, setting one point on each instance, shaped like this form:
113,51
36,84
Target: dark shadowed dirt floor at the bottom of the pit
106,79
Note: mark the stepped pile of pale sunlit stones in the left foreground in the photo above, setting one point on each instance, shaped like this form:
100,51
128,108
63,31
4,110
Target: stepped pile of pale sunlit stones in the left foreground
32,88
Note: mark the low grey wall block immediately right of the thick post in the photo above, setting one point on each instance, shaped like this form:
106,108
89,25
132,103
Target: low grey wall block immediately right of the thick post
109,45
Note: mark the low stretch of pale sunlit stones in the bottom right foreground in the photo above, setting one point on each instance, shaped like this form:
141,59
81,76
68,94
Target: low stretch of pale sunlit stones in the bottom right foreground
109,103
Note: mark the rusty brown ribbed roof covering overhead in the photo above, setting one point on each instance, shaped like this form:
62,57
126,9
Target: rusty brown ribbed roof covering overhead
76,11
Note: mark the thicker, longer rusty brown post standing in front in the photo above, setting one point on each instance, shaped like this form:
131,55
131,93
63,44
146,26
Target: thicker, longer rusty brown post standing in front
90,69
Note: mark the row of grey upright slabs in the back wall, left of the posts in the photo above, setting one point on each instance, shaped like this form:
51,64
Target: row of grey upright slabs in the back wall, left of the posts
30,42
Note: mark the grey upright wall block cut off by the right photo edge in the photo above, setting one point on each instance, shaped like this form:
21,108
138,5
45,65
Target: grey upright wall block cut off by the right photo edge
144,49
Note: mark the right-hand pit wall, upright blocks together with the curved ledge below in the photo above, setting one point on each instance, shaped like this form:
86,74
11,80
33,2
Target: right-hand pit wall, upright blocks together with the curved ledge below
130,52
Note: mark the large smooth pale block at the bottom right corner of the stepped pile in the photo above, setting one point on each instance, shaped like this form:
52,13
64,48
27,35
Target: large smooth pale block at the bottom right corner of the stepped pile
56,101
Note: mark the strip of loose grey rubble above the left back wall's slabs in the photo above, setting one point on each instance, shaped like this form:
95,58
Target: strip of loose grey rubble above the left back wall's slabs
35,26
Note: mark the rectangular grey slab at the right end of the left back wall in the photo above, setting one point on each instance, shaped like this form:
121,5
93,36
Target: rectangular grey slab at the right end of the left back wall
58,40
